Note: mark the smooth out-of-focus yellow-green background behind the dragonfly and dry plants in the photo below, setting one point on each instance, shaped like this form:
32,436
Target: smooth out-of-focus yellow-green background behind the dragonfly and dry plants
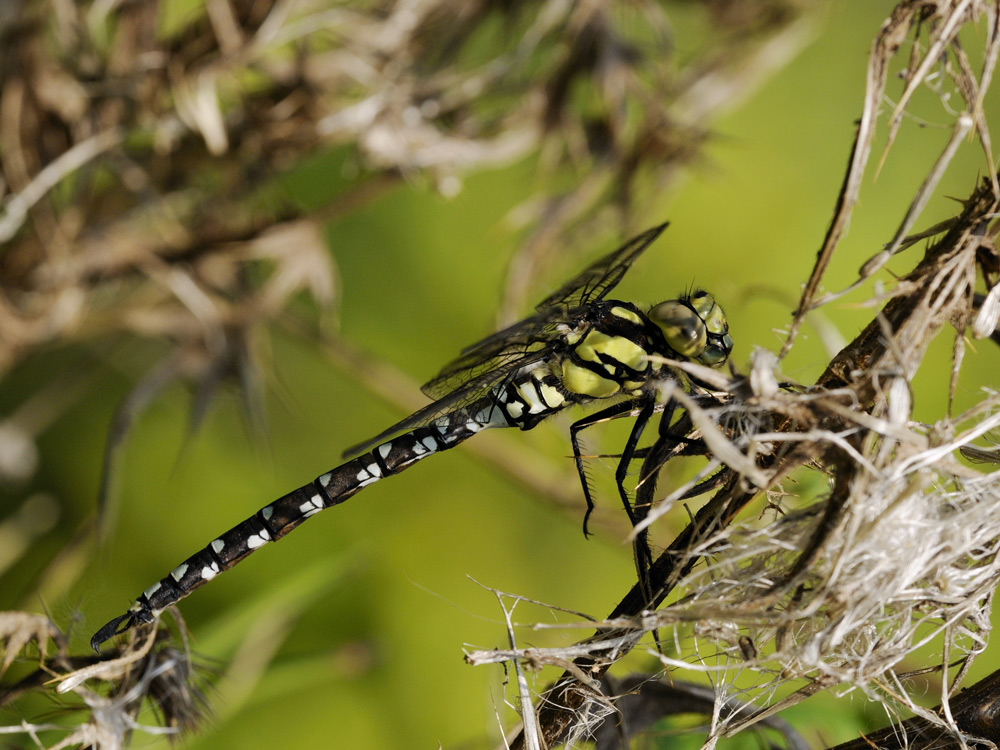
368,608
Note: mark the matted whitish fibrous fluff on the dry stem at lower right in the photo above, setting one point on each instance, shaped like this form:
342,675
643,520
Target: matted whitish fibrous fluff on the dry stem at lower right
839,596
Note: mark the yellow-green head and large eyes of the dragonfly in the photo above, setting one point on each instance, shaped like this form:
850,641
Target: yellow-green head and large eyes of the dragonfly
695,327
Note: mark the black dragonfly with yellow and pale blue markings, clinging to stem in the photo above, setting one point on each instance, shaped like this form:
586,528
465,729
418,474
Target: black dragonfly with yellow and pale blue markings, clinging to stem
577,347
